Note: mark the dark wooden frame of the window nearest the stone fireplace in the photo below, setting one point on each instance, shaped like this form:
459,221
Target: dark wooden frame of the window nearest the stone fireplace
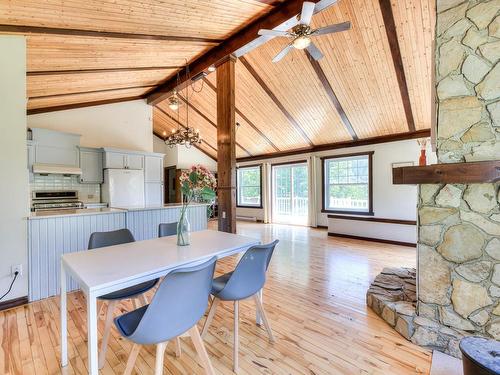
370,184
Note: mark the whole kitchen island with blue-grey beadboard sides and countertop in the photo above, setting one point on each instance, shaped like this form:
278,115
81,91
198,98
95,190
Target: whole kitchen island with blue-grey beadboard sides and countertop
53,233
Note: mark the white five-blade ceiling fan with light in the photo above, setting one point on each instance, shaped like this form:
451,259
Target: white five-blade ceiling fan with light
302,33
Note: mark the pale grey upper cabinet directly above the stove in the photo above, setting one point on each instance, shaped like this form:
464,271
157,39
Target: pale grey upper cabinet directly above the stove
54,147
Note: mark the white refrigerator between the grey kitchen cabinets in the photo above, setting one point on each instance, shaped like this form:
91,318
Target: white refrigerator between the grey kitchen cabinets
123,188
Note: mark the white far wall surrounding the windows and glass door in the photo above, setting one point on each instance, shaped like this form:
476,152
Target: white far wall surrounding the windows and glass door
389,201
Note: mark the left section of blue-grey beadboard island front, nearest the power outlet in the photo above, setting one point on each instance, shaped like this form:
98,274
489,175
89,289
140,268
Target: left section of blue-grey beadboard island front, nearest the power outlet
49,238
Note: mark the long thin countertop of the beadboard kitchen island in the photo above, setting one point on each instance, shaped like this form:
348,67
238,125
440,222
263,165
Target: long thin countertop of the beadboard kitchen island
103,210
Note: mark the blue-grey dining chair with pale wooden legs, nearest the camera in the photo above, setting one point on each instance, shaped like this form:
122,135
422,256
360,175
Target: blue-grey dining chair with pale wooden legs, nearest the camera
178,304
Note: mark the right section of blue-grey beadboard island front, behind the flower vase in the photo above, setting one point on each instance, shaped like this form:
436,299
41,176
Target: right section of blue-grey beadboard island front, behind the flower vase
144,224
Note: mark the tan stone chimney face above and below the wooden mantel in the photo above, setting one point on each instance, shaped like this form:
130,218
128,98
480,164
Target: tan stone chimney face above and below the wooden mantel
459,225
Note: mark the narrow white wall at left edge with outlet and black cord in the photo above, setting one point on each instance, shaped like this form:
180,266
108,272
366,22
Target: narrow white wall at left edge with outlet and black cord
13,162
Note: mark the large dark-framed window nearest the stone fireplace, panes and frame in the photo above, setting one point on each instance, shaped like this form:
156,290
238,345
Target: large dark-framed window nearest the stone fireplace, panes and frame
347,183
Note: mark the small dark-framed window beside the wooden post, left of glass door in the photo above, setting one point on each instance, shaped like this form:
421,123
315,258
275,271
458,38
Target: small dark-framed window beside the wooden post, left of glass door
249,186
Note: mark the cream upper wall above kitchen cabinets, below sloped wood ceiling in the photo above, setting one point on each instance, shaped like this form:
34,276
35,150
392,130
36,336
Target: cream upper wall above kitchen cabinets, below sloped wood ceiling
126,125
